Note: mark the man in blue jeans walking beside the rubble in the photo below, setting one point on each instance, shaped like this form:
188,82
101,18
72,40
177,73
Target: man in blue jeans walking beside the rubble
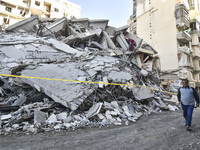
186,97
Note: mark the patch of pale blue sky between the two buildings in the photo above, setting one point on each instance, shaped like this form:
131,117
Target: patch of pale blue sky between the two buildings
116,11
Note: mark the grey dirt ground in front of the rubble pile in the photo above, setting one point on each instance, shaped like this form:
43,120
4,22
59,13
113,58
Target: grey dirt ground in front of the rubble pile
159,131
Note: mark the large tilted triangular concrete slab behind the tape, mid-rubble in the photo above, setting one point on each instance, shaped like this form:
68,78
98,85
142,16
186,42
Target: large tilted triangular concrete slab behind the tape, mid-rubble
69,94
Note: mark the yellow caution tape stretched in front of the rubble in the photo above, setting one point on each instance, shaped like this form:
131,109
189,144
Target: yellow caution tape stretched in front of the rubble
6,75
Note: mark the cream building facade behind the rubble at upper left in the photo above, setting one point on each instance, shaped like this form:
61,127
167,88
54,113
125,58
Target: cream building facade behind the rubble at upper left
12,11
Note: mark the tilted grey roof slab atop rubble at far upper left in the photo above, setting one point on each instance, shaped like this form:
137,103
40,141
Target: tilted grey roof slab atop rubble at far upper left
26,24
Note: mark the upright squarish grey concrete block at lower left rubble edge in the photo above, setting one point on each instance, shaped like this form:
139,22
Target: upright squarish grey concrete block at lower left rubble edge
39,116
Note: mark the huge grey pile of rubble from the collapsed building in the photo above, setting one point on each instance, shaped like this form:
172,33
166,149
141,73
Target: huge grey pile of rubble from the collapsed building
89,52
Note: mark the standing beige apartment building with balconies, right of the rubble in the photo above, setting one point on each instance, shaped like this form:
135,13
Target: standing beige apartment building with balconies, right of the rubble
172,28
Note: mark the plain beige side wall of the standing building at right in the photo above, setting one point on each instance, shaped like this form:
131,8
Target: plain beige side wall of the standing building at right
156,24
